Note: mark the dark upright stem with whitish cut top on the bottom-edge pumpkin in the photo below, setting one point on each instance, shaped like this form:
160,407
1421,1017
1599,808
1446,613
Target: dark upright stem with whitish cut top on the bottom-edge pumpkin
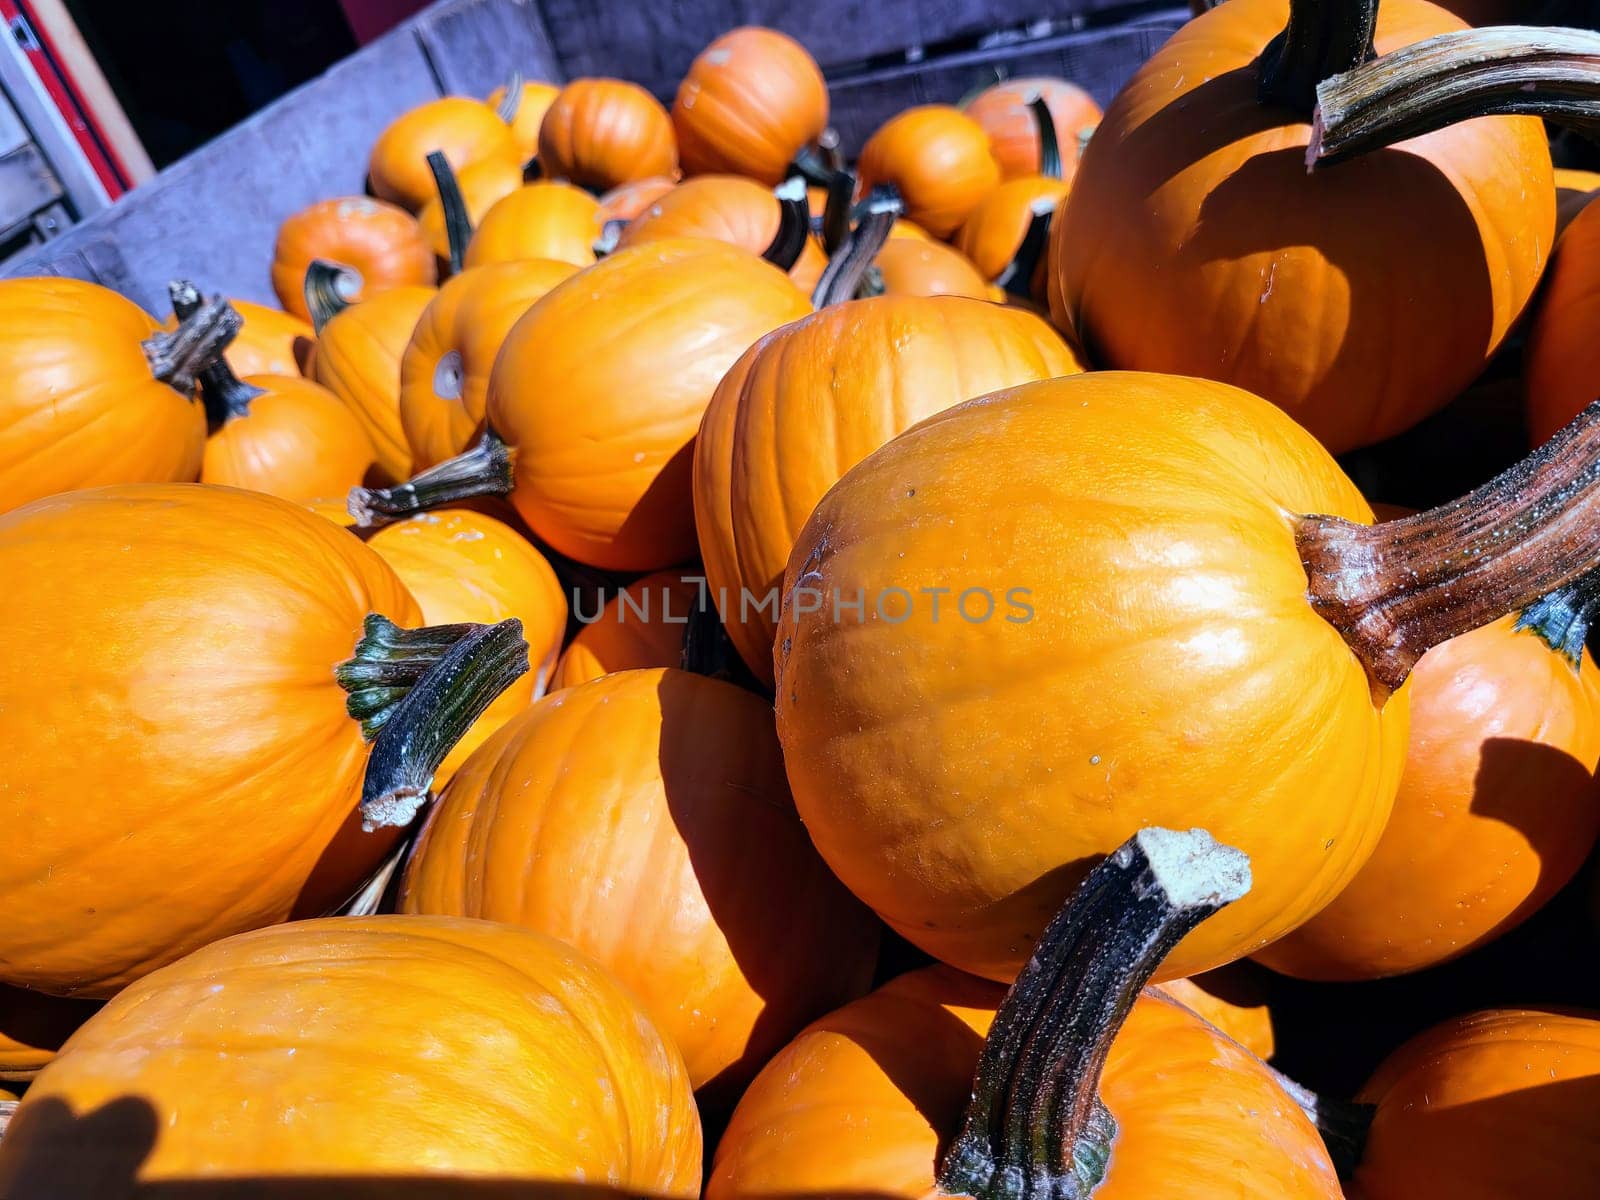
1036,1126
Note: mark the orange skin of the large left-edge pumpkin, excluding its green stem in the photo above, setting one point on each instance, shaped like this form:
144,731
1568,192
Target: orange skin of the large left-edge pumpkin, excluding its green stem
177,646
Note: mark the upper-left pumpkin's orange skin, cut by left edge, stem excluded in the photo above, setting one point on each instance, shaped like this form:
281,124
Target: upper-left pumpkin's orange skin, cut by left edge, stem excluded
79,407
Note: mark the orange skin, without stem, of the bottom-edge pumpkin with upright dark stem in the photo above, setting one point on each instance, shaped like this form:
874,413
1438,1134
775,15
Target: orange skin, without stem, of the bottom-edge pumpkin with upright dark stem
1198,1118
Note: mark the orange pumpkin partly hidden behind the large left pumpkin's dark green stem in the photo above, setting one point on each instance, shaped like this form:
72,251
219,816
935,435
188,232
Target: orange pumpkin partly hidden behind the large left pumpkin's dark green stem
466,567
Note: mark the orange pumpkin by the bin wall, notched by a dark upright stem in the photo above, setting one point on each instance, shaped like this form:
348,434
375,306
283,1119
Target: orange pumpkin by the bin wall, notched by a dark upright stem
465,130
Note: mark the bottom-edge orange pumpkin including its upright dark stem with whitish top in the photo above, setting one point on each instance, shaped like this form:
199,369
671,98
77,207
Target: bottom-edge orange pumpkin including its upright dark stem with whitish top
1071,1084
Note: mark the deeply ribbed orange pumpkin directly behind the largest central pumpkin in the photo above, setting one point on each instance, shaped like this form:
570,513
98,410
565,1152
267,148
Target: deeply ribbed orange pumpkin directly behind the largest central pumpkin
809,402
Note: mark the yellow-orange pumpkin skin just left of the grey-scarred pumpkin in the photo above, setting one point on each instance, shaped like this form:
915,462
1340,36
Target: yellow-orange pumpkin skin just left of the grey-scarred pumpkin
359,361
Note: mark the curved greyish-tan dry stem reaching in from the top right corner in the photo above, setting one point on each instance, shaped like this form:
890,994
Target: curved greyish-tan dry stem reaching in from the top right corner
1454,78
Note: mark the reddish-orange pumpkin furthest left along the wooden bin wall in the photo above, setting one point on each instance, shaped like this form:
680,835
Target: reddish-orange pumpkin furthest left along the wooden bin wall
380,246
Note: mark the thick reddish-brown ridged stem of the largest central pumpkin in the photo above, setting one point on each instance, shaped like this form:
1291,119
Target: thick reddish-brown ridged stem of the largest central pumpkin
1401,588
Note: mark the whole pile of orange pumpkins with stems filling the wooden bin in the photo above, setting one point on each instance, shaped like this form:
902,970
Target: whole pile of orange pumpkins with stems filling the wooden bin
674,665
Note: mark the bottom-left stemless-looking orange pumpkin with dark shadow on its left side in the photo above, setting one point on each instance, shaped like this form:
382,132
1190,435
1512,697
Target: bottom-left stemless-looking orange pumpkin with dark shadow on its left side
503,1054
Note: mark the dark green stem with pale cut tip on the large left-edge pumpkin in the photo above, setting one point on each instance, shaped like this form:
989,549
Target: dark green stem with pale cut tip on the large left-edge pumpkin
417,692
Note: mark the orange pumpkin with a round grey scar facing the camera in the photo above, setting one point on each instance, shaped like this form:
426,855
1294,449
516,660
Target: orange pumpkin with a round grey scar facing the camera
442,398
